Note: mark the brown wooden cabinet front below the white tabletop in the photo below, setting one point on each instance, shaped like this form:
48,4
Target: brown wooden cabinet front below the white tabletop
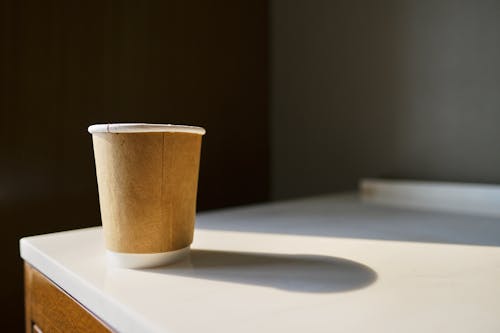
50,309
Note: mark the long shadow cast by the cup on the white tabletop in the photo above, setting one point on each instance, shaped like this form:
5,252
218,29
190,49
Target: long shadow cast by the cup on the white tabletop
297,273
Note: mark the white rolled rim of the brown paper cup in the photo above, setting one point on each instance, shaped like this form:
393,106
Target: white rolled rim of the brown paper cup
144,128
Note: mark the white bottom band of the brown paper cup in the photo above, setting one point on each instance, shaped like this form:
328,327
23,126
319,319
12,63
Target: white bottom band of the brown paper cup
145,260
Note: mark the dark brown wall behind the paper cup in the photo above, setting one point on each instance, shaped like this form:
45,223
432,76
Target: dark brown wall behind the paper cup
67,64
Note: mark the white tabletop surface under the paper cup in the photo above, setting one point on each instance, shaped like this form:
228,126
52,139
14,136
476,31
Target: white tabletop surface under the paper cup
324,264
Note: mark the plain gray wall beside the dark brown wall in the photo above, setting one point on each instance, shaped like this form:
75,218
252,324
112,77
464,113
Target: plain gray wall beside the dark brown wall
383,88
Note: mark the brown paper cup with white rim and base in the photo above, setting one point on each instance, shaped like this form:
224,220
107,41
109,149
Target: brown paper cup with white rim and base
147,176
